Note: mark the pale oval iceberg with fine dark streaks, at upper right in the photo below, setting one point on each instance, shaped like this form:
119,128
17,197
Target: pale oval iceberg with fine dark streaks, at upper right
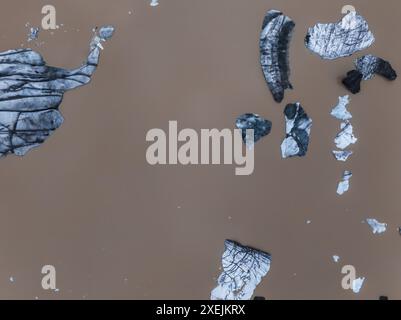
341,39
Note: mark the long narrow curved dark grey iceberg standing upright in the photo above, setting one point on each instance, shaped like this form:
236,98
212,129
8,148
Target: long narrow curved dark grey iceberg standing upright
274,52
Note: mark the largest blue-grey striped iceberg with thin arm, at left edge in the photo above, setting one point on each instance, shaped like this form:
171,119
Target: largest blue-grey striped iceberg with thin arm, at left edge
31,93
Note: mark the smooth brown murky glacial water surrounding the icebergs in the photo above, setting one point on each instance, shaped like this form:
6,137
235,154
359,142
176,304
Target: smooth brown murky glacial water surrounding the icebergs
88,203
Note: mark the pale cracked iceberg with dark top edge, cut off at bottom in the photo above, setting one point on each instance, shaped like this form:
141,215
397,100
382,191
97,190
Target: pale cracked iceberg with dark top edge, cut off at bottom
243,270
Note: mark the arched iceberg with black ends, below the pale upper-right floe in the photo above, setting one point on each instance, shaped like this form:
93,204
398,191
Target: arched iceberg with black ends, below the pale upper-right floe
366,68
